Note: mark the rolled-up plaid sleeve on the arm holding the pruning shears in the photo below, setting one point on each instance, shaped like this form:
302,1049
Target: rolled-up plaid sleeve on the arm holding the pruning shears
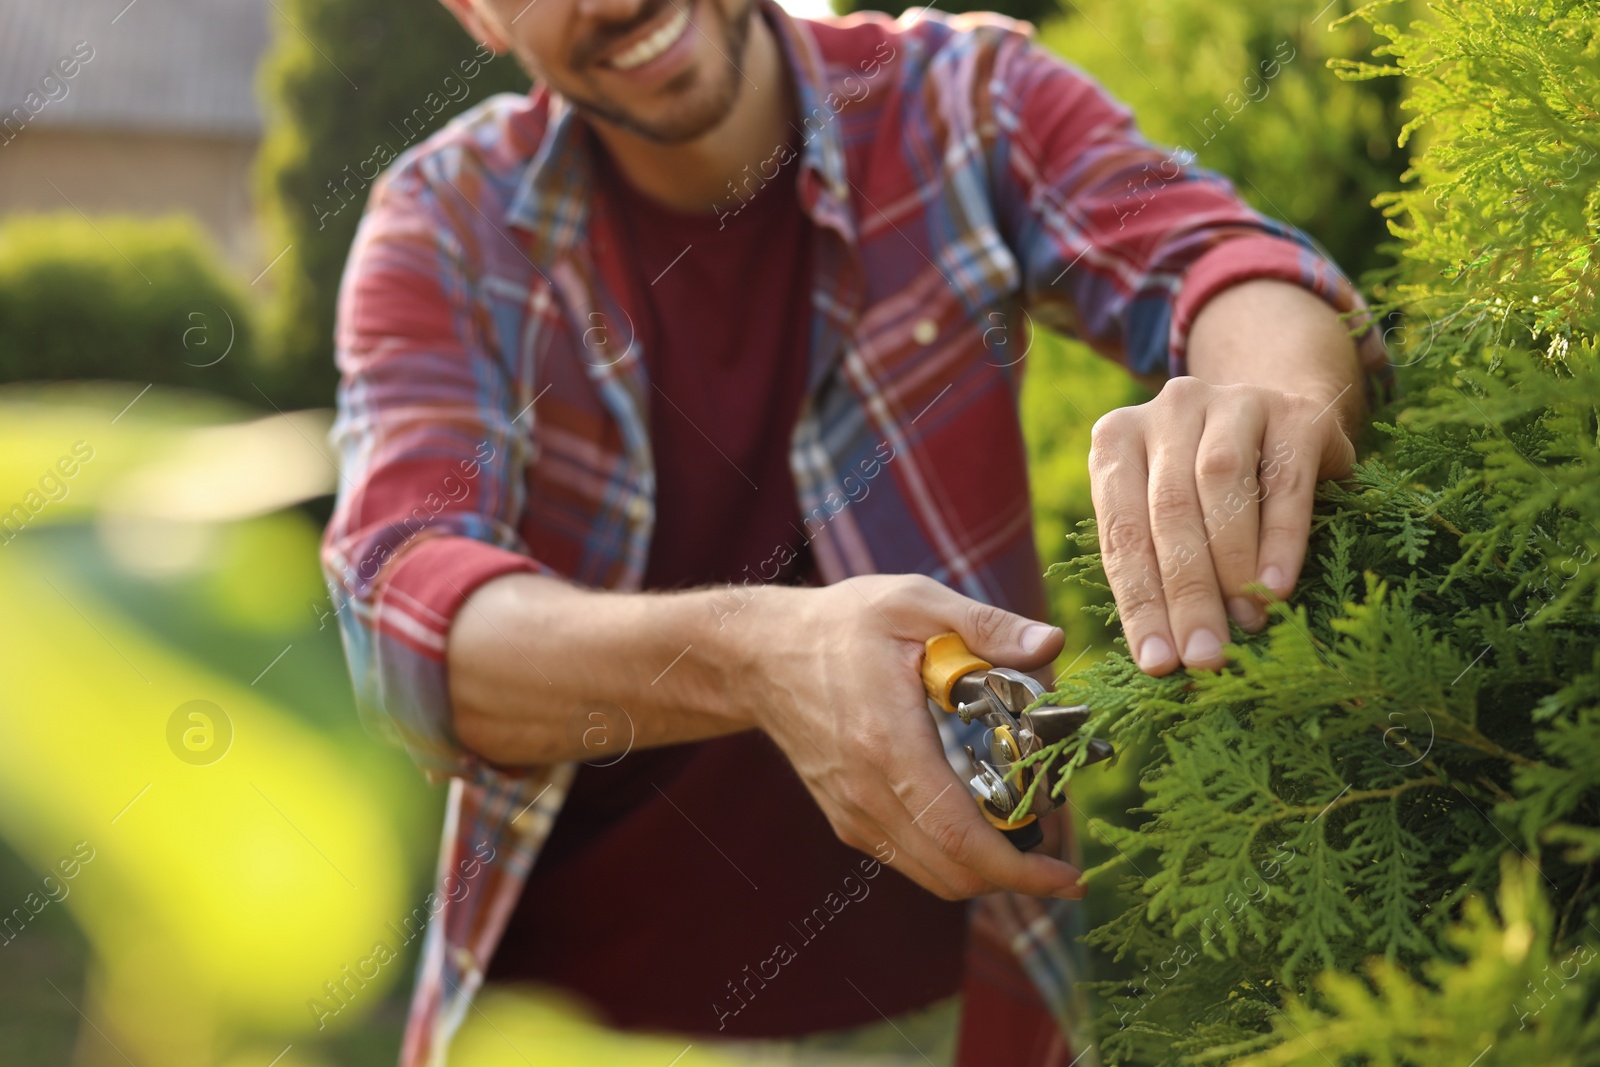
431,470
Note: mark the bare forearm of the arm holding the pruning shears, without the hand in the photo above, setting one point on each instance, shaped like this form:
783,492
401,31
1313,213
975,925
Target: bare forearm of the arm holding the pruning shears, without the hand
545,671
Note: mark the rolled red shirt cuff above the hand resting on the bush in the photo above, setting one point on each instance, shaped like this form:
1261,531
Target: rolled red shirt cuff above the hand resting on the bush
1262,257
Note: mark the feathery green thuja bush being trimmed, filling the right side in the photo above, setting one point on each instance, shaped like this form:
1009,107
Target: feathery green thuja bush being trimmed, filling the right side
1374,839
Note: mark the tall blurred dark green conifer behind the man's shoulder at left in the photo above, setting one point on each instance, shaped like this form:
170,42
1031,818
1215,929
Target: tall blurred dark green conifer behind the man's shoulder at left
351,84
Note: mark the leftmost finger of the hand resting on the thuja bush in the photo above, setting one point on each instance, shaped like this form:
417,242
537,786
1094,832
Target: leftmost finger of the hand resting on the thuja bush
1119,490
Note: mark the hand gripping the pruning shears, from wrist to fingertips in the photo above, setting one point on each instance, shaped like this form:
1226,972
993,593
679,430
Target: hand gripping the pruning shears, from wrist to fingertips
834,677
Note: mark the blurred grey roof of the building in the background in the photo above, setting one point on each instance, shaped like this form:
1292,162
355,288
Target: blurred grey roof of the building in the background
178,66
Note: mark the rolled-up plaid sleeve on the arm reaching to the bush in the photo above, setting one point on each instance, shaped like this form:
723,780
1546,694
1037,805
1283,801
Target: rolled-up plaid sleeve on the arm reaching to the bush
1122,242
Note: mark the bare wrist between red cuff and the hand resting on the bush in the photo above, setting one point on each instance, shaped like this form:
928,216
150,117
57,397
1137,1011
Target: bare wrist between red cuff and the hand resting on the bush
1281,337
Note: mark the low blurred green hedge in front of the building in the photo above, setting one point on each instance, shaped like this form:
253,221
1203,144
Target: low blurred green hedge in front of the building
121,298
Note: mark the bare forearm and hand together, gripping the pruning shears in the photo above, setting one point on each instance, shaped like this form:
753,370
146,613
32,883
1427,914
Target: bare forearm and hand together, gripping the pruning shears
833,674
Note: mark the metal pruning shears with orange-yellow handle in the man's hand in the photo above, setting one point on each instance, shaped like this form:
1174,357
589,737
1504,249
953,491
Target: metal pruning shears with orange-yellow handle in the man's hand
964,685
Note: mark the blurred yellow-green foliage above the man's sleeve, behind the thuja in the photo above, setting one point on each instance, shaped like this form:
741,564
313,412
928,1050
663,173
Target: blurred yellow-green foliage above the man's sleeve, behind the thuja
1247,90
